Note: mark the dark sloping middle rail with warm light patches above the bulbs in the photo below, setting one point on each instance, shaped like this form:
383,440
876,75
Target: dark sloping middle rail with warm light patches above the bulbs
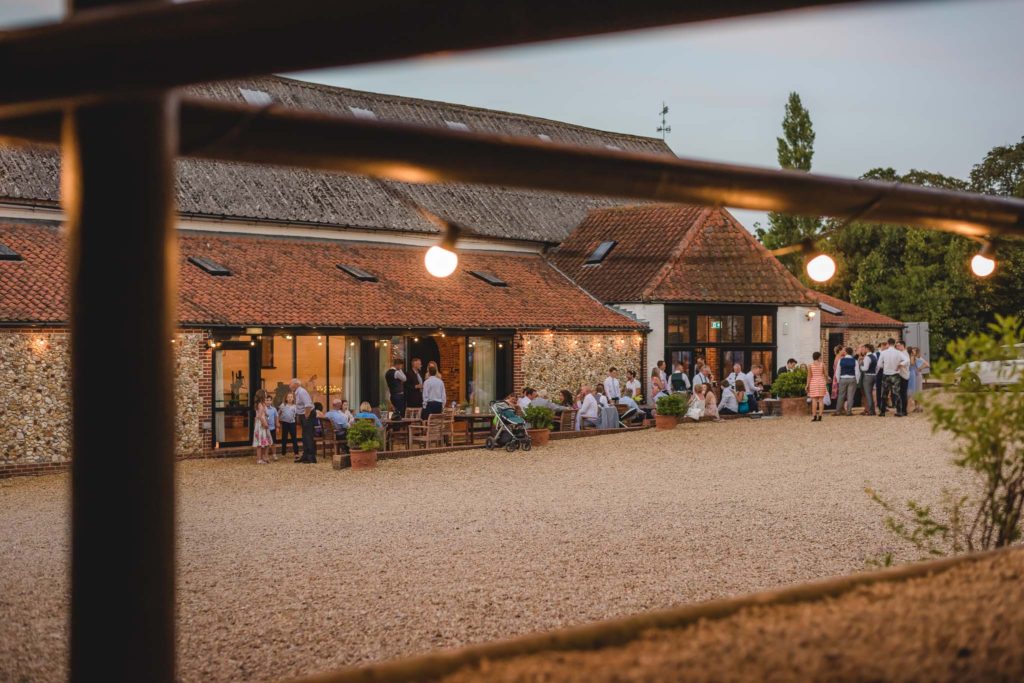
415,154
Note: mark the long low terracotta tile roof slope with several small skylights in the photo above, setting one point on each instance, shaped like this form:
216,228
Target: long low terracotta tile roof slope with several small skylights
293,282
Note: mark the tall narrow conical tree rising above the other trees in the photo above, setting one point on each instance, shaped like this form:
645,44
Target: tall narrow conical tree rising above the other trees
796,151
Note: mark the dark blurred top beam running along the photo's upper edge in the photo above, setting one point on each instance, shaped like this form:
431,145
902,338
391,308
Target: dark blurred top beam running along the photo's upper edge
112,52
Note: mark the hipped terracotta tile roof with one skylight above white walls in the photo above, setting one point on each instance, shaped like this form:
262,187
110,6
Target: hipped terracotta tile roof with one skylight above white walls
676,253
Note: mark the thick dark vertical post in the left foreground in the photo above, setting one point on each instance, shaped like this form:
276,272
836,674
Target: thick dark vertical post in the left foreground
119,194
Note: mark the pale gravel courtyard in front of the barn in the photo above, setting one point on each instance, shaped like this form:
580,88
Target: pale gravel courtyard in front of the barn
289,570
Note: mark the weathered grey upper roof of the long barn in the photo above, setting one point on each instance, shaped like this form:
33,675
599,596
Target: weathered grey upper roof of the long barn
265,193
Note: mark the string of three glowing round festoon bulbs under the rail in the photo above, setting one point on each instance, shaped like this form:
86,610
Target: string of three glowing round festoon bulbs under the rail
442,260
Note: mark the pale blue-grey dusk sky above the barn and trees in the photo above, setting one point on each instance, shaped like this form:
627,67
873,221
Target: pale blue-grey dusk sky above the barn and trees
927,86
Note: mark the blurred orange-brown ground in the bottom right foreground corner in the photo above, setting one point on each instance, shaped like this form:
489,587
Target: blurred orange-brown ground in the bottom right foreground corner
963,625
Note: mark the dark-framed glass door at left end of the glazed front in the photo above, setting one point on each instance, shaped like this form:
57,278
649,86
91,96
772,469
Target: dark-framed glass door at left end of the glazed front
233,391
